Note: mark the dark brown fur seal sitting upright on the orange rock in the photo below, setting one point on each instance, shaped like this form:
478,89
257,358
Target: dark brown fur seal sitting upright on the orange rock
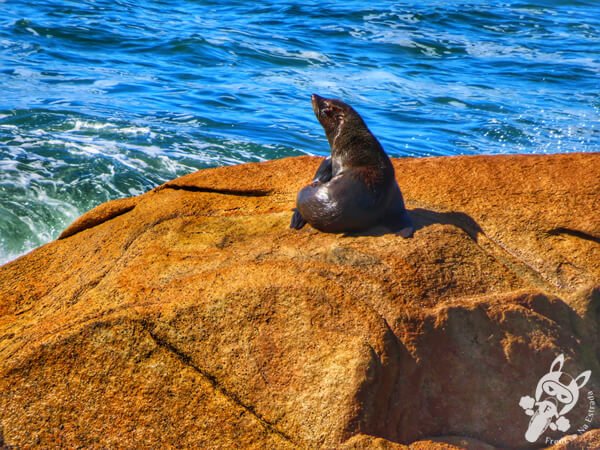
355,188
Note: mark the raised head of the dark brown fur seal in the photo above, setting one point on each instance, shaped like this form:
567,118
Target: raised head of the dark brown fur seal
333,115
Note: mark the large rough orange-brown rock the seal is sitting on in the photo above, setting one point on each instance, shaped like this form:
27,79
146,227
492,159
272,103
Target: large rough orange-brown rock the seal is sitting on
192,316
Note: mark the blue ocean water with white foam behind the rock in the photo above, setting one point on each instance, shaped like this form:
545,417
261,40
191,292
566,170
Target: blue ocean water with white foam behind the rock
108,98
